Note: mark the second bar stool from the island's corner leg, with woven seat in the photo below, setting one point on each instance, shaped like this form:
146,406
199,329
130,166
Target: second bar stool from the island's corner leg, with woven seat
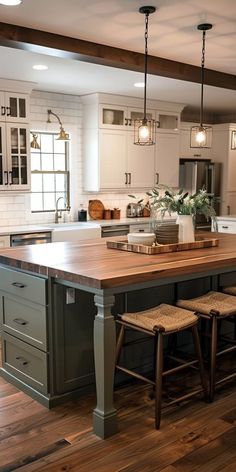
213,306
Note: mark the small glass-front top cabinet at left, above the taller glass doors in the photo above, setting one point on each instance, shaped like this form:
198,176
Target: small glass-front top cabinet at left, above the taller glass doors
13,107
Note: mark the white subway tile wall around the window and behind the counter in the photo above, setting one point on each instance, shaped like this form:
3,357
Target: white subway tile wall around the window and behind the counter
15,206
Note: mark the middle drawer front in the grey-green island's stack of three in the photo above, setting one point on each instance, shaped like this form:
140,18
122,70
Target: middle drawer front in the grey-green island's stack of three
25,320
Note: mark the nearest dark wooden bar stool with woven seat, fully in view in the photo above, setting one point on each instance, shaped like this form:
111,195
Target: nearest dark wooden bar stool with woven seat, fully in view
158,322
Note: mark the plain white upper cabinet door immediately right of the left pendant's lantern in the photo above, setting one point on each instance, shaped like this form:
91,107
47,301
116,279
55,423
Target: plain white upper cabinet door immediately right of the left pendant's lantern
167,159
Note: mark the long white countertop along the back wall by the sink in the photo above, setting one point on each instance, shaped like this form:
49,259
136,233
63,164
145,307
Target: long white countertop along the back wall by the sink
7,230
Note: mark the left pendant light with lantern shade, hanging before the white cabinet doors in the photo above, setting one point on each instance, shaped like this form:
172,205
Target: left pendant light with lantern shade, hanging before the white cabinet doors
144,129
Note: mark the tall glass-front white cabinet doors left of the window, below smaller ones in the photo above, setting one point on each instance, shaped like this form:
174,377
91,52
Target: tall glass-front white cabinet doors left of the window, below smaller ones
14,152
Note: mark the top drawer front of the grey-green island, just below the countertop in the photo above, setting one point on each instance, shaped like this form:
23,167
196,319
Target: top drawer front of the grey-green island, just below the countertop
23,285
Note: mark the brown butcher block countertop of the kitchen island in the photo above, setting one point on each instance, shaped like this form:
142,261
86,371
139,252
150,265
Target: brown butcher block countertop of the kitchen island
92,264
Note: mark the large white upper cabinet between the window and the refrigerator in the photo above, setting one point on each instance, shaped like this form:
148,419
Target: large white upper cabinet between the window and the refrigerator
111,159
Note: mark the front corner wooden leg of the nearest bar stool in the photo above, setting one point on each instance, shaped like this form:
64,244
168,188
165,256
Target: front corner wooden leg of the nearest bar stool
158,377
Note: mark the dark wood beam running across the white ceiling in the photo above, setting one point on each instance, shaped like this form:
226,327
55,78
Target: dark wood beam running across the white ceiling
63,46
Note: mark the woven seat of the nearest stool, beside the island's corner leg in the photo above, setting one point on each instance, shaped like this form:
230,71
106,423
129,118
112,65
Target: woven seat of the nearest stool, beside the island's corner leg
163,317
